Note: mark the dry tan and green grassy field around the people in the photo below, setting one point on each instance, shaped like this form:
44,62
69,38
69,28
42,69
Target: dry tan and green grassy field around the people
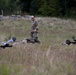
49,57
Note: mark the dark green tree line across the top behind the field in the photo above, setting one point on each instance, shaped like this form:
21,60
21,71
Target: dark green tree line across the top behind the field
58,8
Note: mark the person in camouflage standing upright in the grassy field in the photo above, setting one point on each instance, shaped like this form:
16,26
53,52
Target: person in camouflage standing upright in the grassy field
34,31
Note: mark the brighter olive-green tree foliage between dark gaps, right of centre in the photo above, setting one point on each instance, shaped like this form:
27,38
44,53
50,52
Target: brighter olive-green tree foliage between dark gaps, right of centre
49,8
